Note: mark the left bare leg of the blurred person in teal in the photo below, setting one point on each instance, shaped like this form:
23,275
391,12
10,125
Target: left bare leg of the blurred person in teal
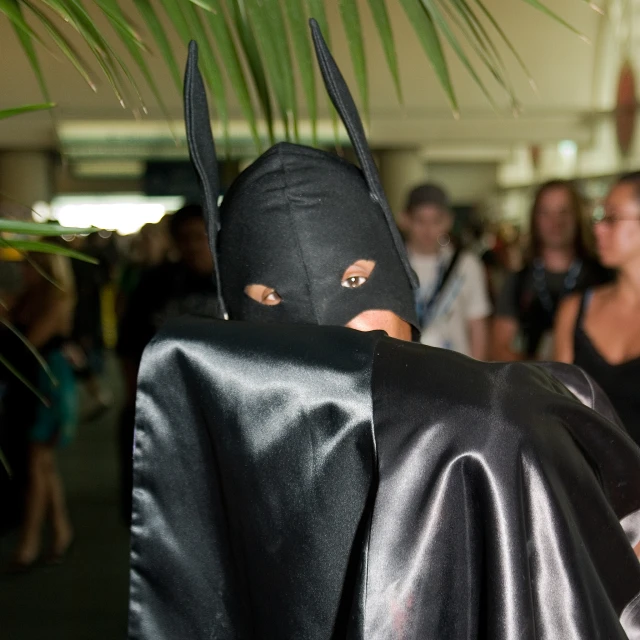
36,507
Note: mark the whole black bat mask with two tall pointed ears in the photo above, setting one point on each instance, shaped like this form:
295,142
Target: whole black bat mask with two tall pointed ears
297,218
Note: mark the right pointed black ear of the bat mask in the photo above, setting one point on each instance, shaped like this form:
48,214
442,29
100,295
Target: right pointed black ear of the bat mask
344,104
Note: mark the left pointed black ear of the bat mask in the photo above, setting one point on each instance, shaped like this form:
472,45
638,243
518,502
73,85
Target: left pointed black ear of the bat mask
202,151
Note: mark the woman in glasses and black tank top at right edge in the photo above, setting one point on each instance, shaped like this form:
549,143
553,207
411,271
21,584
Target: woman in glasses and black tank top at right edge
600,329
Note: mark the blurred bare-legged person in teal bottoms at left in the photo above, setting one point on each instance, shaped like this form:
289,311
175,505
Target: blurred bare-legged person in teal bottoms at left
44,313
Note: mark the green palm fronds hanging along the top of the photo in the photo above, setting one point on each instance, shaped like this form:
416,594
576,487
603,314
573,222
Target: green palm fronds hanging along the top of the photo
250,46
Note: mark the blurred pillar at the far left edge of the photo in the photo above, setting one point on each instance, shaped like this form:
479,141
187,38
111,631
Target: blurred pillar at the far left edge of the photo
26,177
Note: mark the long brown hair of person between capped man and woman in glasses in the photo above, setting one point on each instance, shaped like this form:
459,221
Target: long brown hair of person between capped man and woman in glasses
583,243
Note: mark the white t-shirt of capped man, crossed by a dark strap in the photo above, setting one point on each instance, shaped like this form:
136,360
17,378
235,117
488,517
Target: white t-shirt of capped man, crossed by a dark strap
464,298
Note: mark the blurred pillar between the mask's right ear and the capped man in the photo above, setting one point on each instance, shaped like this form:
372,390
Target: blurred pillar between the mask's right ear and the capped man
400,170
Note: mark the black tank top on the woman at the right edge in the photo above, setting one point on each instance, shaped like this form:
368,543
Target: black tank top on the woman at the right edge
621,382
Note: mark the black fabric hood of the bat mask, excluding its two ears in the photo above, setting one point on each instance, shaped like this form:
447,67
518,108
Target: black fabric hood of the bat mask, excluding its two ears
295,221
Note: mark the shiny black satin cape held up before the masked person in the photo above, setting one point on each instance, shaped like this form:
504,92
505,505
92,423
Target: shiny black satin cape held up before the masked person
307,482
